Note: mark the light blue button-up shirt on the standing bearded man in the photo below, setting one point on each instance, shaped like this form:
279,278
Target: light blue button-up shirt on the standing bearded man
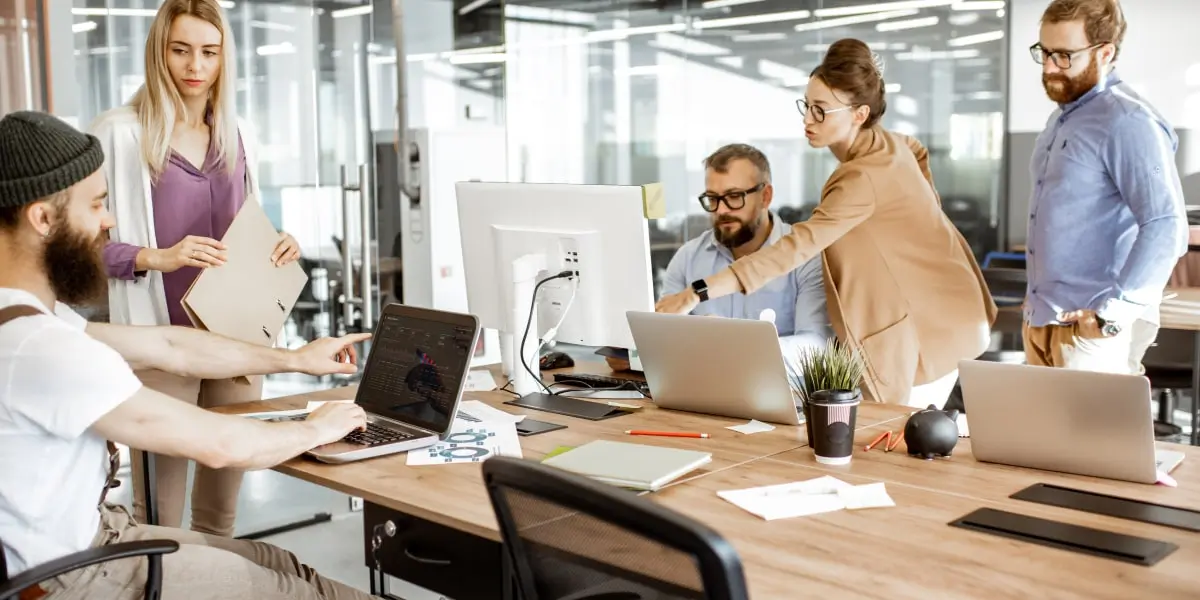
1107,218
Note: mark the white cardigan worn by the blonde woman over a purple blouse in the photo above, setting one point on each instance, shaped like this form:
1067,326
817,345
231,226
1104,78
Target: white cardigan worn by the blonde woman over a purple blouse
143,301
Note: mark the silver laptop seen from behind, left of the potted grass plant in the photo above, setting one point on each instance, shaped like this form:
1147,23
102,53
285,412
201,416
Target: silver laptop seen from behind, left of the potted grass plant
729,368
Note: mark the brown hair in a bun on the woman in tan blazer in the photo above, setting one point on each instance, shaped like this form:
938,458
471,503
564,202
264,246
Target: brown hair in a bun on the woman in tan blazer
851,68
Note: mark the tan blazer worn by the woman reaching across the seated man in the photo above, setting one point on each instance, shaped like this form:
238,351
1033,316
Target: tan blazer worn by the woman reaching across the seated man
903,286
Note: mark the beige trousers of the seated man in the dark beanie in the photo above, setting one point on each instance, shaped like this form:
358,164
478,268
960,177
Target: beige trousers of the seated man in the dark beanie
205,568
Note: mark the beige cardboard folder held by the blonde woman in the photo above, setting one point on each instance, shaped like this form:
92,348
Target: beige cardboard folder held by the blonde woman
248,298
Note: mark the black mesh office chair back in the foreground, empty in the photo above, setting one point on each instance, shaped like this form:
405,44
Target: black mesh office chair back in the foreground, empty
573,538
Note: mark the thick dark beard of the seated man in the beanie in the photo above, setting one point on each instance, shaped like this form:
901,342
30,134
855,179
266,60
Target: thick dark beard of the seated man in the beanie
75,265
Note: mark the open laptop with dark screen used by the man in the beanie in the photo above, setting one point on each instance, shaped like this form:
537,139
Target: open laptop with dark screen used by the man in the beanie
412,385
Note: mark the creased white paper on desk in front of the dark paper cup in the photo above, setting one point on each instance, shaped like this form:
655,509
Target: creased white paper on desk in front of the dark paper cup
812,497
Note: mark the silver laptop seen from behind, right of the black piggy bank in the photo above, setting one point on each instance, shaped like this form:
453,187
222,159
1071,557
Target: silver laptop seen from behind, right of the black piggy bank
1058,419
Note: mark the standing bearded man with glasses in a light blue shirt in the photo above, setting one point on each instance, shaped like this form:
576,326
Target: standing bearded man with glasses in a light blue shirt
1107,220
